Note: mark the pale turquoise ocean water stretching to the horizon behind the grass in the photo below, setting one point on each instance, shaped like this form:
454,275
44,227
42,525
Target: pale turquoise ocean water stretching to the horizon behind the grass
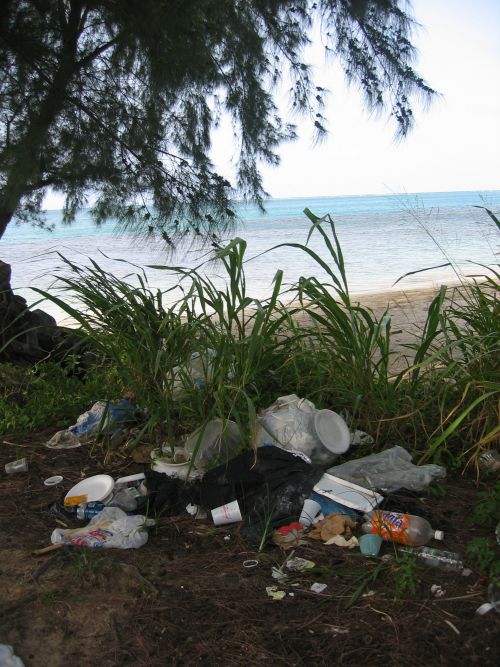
382,237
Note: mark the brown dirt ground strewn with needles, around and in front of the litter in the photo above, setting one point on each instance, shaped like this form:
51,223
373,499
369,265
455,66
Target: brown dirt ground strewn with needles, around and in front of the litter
186,598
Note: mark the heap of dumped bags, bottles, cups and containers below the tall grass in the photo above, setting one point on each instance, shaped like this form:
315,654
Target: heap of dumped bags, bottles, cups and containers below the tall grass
284,493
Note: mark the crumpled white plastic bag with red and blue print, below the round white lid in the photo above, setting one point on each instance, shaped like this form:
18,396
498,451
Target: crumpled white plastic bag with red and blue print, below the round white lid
111,528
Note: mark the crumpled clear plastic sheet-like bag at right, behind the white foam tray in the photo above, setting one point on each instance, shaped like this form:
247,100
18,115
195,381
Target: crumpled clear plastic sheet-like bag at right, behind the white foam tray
388,471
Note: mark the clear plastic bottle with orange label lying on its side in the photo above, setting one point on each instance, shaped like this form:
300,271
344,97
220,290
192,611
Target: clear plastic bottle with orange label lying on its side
403,528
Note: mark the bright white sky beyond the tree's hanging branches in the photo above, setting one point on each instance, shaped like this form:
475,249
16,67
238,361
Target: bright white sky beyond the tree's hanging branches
455,144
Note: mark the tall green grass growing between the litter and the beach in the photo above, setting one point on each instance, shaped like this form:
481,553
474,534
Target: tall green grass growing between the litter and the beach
202,351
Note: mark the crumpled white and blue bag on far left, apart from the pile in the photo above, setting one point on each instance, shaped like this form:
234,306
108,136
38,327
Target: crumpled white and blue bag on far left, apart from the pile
104,418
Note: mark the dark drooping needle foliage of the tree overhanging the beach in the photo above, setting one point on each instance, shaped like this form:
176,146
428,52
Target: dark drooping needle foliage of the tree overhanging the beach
118,100
